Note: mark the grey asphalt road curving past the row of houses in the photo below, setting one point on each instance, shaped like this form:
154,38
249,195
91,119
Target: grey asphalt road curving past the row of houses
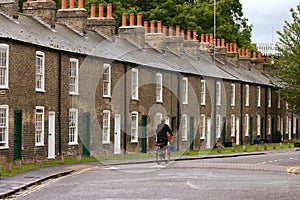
250,177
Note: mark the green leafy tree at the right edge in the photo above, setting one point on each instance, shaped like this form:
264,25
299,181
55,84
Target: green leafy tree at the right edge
289,63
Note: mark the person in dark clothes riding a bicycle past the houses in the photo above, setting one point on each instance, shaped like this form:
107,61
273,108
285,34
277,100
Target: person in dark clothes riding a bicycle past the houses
162,132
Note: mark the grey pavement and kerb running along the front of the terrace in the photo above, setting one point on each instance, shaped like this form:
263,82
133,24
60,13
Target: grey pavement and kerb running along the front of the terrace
22,181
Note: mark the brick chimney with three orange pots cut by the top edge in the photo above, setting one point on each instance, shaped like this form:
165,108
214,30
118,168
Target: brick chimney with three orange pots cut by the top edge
75,17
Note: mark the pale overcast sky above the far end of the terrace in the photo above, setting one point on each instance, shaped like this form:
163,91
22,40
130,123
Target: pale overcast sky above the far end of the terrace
267,17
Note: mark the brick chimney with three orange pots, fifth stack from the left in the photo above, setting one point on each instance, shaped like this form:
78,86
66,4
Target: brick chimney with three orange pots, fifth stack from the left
133,33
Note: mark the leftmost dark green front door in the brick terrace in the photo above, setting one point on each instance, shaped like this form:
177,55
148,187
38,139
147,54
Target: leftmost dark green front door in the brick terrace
17,134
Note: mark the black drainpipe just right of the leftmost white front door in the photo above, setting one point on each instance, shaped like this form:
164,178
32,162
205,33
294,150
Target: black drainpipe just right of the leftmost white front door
59,101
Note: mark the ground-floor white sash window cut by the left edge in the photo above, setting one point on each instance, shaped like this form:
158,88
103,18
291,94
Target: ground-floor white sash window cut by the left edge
4,117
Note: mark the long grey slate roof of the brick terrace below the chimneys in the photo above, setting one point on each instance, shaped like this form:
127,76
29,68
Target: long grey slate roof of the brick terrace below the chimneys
31,30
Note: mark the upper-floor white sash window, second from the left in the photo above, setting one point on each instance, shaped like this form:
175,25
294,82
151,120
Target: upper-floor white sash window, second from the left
40,75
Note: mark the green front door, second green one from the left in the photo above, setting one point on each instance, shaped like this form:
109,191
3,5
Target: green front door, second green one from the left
86,134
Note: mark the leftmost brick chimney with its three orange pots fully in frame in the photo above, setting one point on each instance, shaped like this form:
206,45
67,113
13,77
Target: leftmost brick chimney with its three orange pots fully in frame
102,24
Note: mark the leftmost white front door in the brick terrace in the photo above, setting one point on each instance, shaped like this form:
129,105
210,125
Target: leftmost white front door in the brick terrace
51,135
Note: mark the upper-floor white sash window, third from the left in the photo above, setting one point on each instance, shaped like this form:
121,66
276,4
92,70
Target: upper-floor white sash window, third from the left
74,77
